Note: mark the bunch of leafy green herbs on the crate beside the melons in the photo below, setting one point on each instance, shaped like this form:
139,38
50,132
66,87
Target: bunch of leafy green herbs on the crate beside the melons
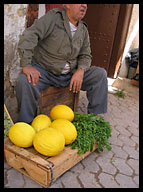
90,128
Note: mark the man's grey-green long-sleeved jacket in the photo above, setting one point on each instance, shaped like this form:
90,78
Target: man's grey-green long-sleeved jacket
49,42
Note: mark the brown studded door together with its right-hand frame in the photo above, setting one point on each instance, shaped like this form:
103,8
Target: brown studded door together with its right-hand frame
108,26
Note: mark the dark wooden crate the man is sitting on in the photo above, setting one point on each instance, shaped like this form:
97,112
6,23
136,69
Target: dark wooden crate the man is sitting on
55,96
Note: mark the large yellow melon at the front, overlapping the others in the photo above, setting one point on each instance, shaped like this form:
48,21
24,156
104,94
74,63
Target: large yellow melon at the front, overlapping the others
49,142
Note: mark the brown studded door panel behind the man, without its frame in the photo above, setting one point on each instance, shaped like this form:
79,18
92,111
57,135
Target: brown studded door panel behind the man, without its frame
102,21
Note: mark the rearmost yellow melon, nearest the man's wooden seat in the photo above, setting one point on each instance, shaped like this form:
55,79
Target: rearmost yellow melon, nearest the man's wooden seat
62,112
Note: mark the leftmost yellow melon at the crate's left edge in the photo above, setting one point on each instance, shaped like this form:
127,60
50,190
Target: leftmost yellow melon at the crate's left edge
22,134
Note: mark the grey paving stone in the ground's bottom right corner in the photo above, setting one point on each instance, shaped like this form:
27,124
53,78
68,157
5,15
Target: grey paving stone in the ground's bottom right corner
125,181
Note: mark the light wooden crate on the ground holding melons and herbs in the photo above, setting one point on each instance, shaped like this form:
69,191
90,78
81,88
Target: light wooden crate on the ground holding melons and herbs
44,170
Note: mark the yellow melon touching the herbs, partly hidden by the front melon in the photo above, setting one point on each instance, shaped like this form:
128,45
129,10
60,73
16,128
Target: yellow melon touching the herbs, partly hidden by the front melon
67,128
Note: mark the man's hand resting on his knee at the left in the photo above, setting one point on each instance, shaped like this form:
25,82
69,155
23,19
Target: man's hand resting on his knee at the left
33,73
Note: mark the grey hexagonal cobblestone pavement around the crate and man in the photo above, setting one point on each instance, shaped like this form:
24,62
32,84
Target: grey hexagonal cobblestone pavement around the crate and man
118,168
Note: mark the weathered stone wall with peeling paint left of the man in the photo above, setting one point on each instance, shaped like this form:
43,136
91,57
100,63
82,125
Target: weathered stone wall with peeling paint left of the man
14,24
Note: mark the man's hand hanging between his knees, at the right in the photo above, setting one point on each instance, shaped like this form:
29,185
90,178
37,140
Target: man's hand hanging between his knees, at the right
76,81
